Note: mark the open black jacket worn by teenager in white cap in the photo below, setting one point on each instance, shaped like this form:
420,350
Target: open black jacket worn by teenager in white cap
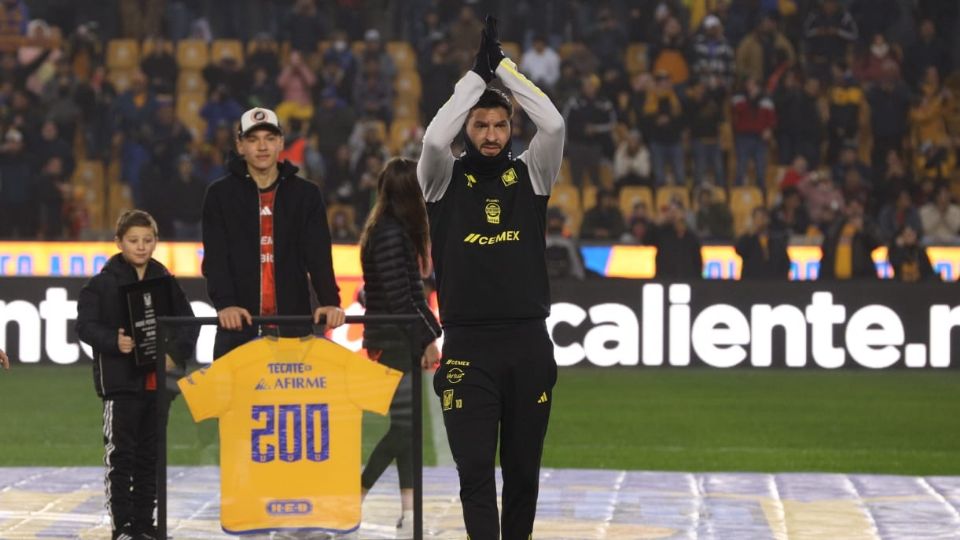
301,242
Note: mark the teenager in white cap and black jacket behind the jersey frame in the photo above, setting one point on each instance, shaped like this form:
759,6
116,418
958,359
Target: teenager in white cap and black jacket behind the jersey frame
265,236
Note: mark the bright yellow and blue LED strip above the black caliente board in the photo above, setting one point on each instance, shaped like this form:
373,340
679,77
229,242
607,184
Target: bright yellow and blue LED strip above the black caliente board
184,259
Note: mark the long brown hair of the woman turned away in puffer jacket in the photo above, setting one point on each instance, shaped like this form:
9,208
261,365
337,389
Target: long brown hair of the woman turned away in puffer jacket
399,196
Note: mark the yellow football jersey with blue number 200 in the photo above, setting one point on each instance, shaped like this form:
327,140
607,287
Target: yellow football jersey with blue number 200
290,414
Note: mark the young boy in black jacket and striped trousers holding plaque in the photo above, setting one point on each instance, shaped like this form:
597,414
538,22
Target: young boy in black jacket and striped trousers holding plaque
129,402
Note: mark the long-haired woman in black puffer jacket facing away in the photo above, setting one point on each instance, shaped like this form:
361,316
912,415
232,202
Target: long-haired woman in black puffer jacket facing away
394,252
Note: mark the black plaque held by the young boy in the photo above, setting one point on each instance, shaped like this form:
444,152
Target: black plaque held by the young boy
143,302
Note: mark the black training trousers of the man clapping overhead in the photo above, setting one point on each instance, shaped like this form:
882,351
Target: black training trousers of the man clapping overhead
497,379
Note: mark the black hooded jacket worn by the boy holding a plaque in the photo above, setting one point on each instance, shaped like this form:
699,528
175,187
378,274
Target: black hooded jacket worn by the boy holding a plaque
100,315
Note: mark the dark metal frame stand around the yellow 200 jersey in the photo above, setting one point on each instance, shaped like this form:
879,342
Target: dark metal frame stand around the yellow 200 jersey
163,401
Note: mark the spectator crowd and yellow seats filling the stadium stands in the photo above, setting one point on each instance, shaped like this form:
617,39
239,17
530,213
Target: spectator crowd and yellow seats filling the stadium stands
688,121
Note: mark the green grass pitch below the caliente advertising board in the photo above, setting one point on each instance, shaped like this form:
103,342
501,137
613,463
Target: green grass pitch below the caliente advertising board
894,422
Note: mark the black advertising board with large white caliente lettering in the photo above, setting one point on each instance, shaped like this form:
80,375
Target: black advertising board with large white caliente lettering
620,322
